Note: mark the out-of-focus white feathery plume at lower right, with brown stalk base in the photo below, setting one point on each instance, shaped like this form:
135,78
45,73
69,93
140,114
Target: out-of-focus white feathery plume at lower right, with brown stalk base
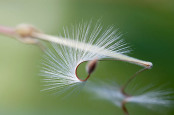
151,99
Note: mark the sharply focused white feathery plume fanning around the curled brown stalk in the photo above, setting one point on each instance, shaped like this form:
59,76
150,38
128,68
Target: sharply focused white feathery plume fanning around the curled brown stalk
61,61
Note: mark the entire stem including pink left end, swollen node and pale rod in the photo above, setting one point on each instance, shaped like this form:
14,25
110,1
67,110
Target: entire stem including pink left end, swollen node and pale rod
29,31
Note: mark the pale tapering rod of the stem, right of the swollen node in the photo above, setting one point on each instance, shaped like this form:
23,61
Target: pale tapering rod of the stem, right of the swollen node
90,48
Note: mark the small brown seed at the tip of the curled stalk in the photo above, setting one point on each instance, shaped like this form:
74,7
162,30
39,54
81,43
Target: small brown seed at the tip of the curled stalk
91,66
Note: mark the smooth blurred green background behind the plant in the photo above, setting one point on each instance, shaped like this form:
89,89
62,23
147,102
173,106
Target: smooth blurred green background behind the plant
147,25
